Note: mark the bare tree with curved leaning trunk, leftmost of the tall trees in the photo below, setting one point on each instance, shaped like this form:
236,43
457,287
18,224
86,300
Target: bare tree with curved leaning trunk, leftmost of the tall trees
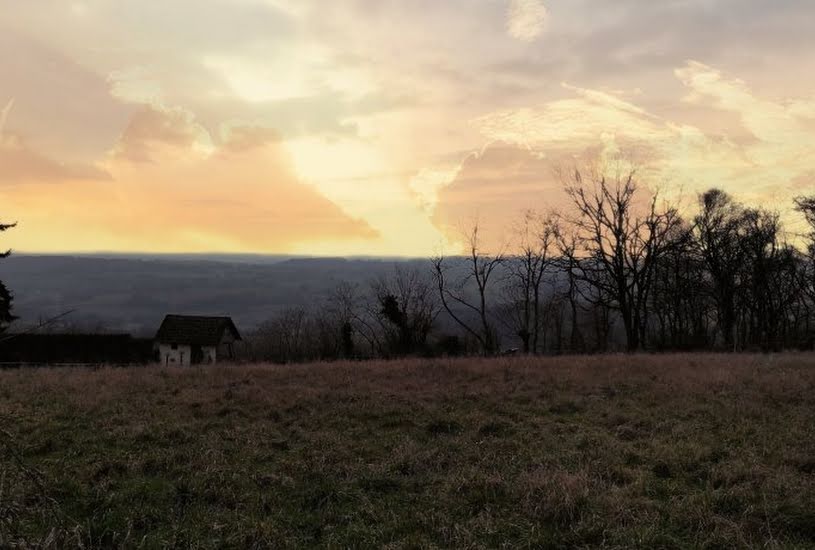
457,278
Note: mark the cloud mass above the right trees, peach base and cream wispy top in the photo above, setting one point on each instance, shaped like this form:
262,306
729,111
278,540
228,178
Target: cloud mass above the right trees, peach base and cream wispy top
528,144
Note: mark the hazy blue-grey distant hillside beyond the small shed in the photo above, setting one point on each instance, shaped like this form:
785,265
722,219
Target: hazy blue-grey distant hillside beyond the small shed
133,293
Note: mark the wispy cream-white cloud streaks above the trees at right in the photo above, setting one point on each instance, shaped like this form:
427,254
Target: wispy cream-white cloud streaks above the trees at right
767,170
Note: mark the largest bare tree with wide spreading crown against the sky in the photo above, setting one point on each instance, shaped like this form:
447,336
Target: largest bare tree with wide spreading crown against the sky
621,242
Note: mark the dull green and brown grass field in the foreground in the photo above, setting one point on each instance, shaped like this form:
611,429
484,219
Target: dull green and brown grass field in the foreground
617,451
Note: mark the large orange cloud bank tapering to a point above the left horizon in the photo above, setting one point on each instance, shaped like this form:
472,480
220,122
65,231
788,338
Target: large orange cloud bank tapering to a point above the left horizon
175,191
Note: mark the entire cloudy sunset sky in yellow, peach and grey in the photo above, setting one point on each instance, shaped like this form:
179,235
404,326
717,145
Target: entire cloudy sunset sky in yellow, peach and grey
382,127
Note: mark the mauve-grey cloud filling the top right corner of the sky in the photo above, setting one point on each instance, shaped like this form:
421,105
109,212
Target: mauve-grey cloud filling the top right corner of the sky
622,43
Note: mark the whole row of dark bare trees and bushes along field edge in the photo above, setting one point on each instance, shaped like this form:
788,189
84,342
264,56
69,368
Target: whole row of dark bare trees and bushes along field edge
621,269
